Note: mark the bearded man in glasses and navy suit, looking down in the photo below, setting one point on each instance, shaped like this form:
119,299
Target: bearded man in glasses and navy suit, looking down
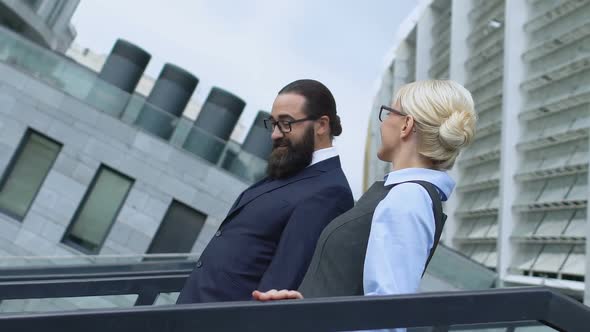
268,237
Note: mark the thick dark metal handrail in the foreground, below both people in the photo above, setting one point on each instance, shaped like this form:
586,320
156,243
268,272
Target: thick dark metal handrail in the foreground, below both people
441,310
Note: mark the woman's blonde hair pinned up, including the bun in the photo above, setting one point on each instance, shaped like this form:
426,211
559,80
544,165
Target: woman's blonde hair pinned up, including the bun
444,118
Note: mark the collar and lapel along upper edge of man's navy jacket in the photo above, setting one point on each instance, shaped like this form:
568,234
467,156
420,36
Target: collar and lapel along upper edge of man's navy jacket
262,188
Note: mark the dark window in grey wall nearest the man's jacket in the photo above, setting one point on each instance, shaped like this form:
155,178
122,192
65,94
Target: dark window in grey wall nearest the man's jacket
178,231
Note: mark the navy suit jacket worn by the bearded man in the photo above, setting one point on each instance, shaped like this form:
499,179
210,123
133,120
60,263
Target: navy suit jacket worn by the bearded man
269,235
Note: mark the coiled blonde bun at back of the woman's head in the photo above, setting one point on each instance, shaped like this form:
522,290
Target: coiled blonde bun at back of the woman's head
457,130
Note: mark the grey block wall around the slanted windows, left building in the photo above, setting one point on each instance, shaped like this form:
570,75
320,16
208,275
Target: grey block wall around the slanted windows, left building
161,171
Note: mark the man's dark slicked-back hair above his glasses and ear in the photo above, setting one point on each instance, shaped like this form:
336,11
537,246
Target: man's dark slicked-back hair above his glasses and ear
319,101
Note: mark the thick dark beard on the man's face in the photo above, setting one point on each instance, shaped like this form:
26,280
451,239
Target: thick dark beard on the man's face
288,158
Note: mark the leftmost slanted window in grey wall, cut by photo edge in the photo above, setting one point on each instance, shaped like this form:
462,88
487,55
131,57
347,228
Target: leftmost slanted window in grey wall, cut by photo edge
26,172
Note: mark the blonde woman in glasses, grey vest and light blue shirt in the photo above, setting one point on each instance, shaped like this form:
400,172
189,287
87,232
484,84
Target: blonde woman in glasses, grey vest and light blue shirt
383,245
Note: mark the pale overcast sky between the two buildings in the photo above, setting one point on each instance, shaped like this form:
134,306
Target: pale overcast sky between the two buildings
254,47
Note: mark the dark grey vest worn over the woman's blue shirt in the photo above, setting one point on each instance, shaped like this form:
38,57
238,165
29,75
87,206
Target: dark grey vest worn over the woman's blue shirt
336,268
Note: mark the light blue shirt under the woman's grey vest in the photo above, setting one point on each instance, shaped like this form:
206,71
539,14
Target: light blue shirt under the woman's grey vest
402,232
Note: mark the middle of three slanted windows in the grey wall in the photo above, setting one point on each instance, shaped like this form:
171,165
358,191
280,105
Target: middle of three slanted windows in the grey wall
98,211
